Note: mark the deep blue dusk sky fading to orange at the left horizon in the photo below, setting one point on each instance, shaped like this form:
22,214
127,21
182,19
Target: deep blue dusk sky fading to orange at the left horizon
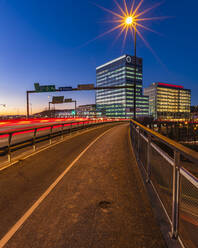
46,41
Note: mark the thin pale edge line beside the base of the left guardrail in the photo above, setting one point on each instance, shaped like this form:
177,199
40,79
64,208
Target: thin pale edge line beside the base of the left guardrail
67,137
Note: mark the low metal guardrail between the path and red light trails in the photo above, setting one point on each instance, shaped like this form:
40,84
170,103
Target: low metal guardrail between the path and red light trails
41,133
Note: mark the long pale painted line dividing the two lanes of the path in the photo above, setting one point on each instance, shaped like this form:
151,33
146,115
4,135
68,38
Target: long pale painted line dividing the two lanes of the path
20,222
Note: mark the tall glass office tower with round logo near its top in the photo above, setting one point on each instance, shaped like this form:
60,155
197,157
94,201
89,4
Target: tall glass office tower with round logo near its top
120,102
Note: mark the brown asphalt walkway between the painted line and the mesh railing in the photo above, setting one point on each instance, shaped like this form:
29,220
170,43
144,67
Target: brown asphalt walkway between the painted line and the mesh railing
100,203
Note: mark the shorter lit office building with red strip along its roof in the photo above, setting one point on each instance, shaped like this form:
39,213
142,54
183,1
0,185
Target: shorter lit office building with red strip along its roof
168,101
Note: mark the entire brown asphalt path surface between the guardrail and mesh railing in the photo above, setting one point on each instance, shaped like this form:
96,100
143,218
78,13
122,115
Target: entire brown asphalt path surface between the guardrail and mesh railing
100,201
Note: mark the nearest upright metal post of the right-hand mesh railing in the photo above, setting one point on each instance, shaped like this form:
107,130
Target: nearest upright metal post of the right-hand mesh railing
176,195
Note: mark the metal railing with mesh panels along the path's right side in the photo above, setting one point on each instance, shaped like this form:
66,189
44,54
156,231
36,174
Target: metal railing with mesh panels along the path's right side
172,169
